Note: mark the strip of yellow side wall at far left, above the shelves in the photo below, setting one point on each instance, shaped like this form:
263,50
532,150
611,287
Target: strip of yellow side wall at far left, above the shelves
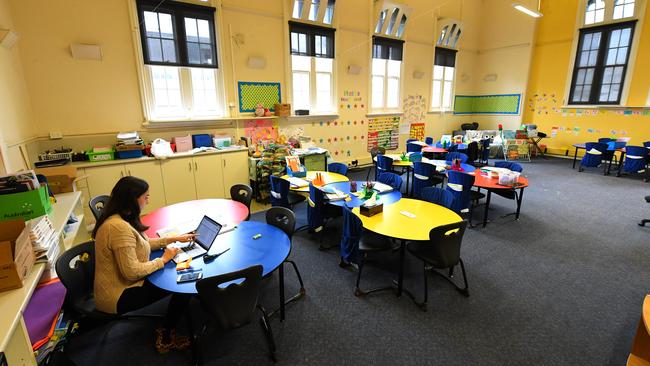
15,108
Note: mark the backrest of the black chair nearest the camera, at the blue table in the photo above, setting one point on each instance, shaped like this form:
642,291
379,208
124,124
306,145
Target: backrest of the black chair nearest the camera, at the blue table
234,305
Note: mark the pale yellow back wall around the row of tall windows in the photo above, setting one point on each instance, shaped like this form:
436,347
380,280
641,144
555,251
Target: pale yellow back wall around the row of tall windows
79,97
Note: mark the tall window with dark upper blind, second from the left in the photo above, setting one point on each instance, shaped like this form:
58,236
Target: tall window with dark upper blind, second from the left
312,67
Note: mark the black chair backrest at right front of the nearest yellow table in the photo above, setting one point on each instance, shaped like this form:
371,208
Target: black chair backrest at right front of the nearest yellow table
445,242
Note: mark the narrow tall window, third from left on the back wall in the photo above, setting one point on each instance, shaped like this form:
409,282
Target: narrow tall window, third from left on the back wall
386,72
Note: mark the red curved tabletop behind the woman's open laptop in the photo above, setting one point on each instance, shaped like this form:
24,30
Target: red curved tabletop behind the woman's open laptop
222,210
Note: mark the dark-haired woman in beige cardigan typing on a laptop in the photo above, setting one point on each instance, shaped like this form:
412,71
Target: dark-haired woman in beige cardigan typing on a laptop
122,261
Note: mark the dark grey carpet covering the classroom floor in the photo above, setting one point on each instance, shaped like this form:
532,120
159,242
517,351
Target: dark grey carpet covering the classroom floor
562,286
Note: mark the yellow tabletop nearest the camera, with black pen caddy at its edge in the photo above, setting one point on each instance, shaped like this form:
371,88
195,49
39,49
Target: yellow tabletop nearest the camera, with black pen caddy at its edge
391,222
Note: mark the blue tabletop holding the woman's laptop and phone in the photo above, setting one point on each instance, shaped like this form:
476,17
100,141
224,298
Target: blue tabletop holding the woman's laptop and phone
270,251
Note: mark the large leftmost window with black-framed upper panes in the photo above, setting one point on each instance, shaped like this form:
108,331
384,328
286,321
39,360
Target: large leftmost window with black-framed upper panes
182,79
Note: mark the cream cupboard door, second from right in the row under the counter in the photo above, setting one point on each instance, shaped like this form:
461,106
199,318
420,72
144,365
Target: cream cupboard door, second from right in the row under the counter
207,176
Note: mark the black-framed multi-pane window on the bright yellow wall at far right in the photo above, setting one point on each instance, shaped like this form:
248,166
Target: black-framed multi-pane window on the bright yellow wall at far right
601,64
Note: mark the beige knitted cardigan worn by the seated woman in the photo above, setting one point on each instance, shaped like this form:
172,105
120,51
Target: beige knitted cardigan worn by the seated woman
121,261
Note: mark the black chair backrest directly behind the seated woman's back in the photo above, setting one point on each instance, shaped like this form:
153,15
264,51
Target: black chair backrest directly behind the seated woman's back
76,270
